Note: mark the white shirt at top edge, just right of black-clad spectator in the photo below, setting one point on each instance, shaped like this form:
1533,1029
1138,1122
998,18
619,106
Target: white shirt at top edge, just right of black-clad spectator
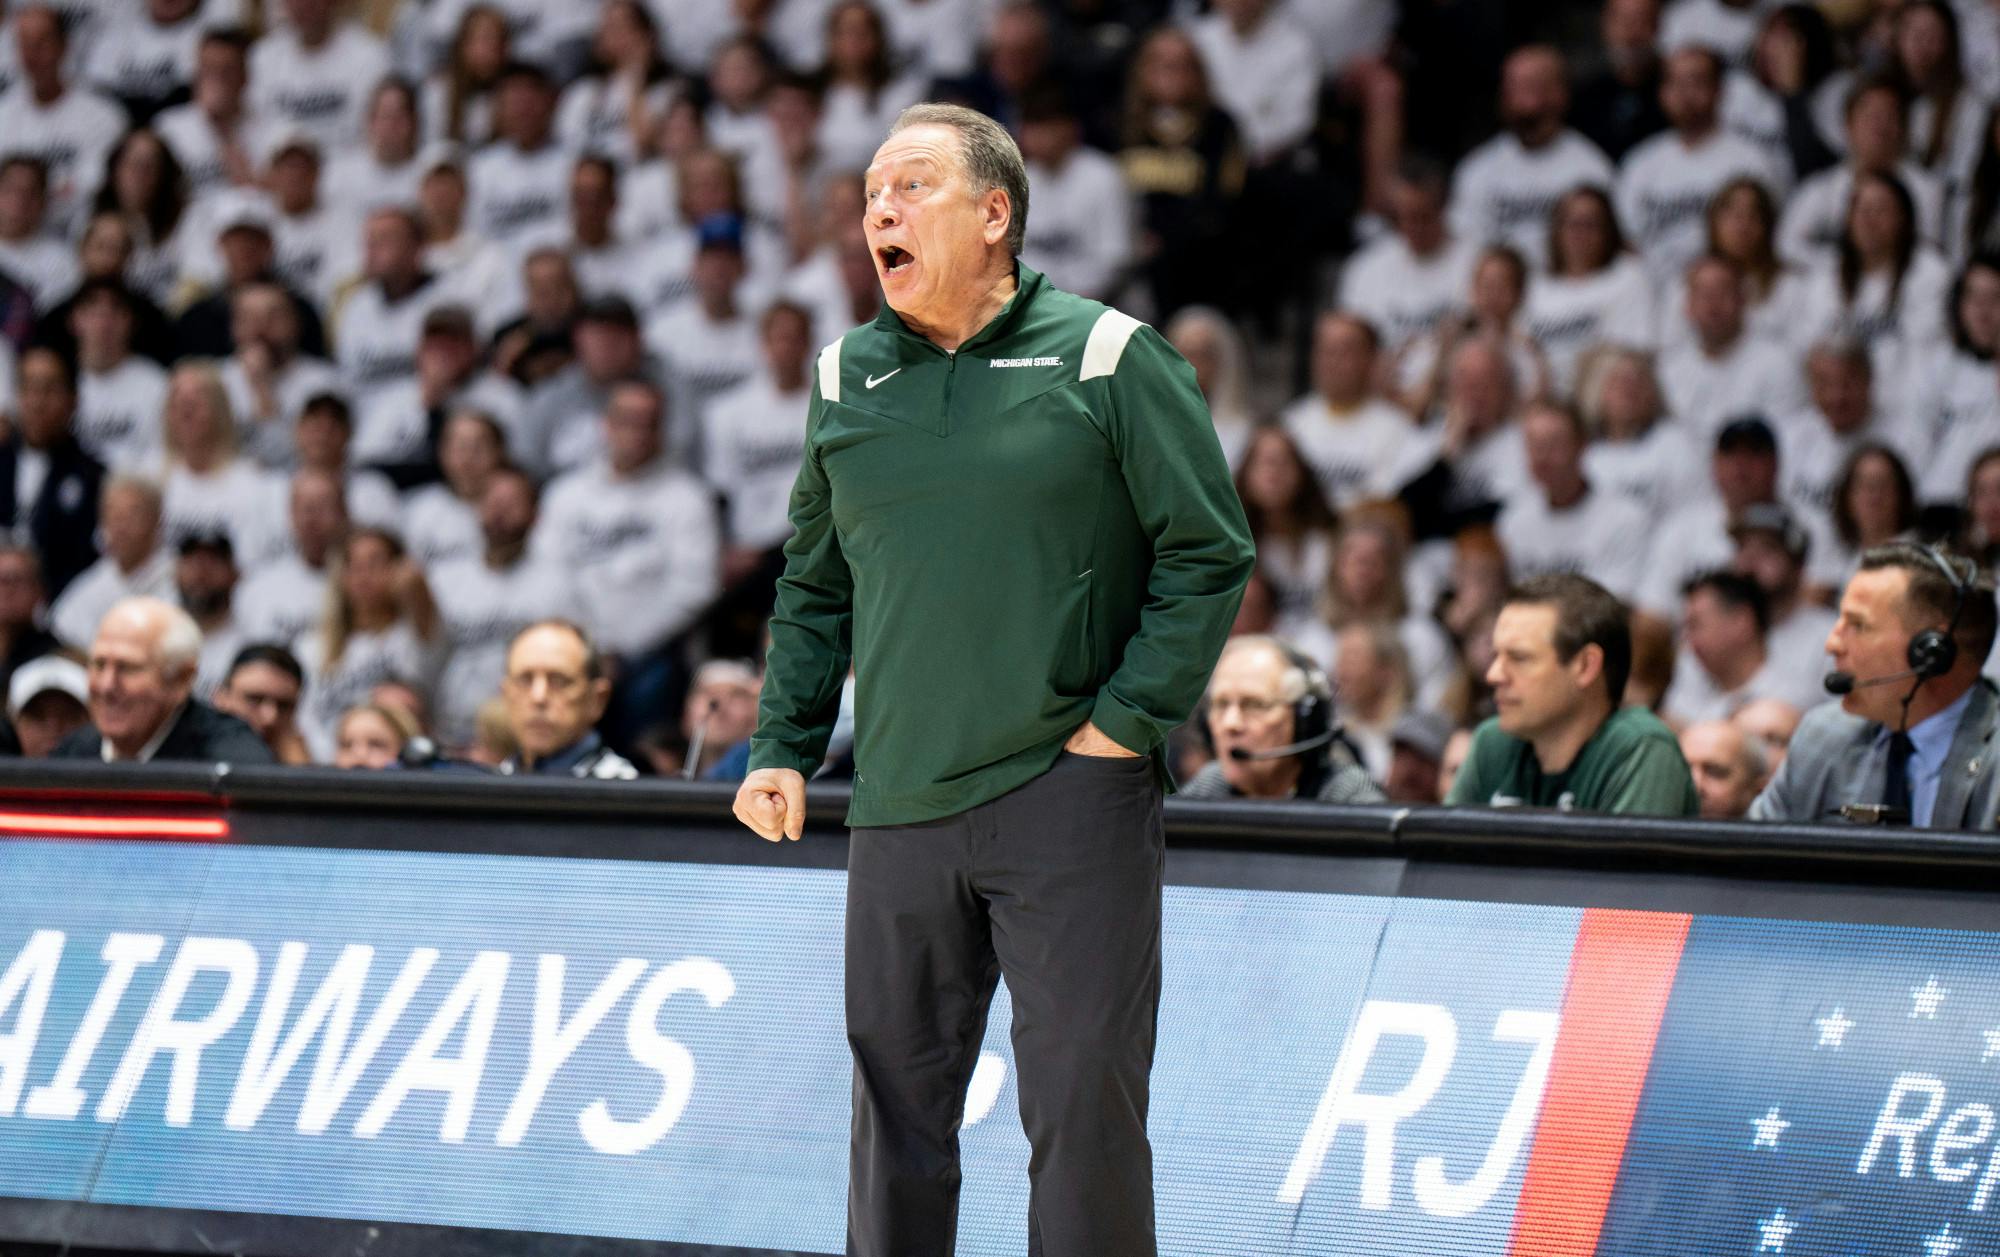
1267,81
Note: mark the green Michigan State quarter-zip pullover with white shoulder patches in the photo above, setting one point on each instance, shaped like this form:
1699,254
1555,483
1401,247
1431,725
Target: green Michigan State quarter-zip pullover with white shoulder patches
1007,541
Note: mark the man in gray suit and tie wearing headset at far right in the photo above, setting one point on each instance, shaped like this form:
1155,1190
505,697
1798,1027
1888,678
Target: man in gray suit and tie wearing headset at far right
1917,734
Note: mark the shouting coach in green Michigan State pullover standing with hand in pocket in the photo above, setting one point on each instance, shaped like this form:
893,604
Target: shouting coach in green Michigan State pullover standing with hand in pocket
1017,521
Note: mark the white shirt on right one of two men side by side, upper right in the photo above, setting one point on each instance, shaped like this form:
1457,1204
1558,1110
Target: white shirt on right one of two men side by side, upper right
1665,189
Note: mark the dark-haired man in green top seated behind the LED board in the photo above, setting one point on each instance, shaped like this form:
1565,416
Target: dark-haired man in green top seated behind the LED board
1563,652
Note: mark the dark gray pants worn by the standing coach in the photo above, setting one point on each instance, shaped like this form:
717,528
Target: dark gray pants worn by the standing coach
1057,888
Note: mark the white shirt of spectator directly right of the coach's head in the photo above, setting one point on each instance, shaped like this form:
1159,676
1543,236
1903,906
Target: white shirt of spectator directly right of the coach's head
1081,235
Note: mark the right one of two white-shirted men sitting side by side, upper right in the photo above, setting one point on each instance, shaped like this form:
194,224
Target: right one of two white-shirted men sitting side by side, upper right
1669,181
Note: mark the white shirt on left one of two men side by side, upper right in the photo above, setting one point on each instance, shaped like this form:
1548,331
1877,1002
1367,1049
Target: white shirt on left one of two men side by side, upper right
1505,191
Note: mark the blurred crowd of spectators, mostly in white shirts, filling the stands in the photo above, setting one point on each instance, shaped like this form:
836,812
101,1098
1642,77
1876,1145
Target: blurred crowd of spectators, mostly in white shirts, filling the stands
375,335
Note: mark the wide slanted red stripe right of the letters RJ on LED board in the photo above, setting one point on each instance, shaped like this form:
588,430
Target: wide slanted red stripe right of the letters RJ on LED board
1621,978
